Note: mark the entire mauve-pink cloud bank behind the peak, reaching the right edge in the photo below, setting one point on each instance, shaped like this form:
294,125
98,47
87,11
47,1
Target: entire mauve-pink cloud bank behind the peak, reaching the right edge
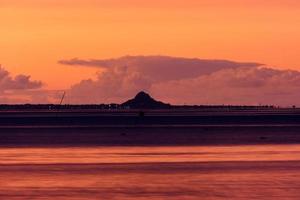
182,80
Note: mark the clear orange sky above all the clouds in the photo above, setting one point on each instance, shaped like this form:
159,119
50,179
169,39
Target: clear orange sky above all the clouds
35,34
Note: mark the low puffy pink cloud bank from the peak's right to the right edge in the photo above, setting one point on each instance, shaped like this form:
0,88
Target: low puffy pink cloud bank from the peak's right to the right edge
241,86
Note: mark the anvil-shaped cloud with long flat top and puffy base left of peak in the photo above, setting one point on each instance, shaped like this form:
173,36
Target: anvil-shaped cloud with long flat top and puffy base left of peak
124,77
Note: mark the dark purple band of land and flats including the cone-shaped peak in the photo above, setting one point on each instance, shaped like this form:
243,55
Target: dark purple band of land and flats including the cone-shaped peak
148,122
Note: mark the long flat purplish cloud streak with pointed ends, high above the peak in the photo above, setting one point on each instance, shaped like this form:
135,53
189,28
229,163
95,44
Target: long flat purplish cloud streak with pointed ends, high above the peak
160,68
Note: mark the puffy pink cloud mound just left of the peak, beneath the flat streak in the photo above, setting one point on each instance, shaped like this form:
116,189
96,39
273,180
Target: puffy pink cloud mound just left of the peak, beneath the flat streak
113,85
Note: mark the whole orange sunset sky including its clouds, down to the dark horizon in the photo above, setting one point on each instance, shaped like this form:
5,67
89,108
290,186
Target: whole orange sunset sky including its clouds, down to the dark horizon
38,37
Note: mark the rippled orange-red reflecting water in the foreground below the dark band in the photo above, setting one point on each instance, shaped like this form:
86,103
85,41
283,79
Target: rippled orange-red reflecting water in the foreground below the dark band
195,172
